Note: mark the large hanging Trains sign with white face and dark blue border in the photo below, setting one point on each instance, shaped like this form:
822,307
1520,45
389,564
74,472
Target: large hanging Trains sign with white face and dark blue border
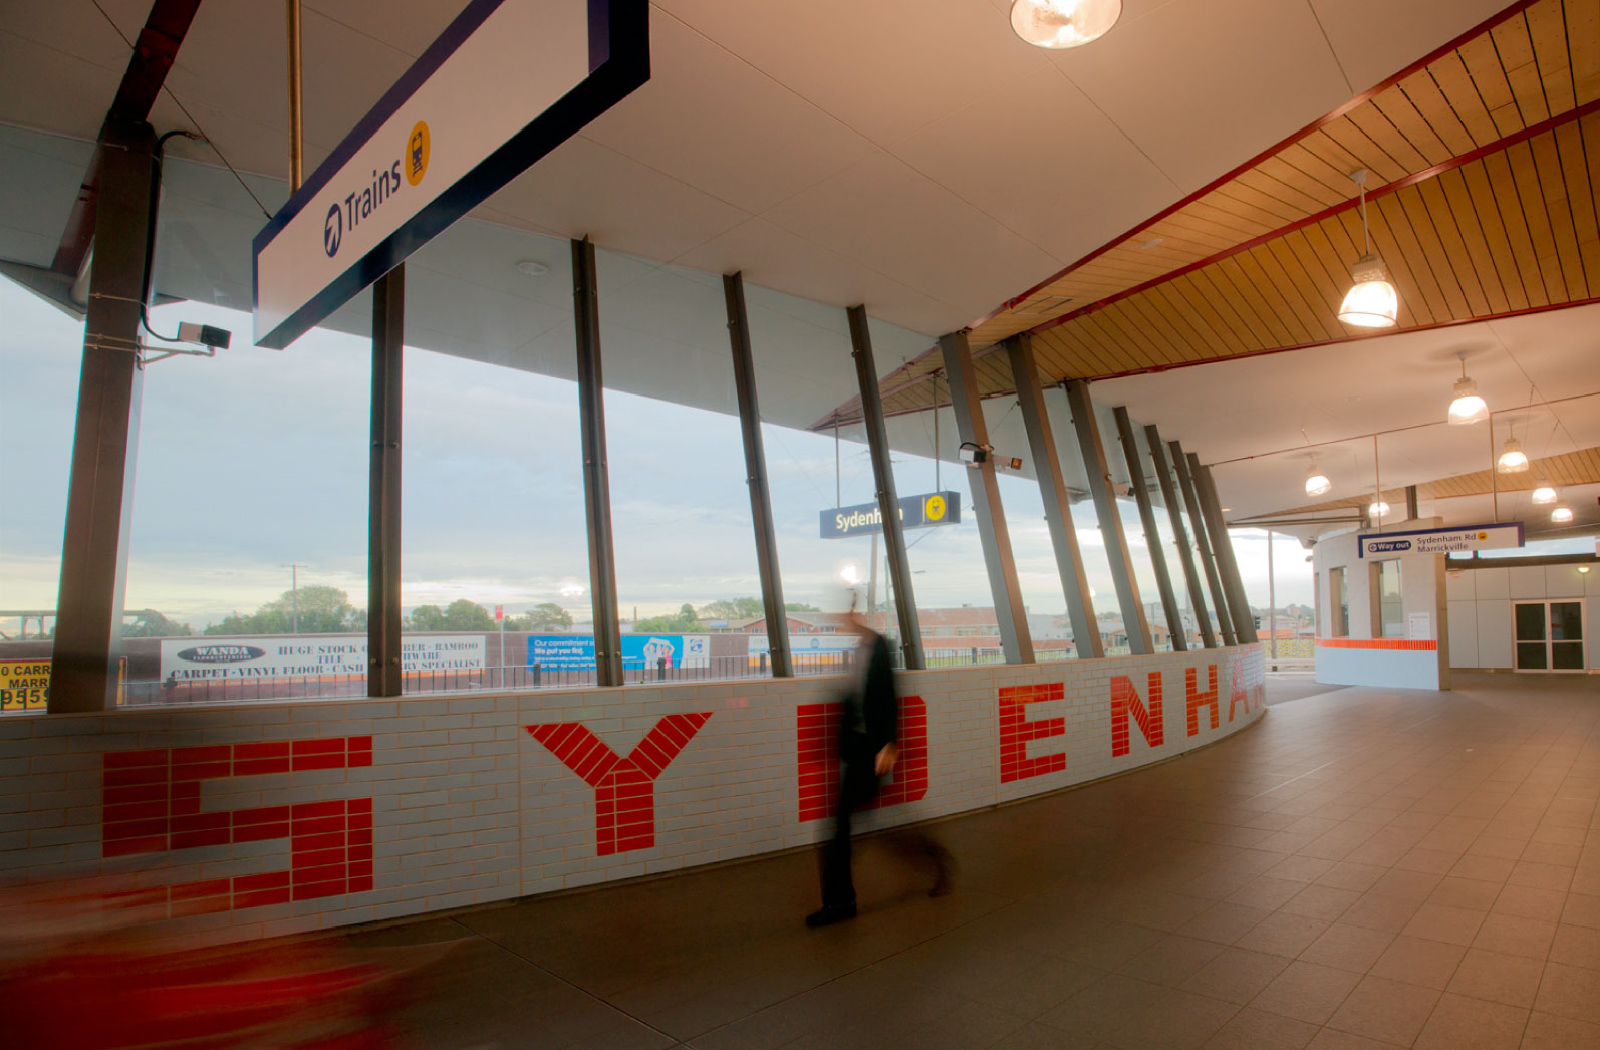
508,82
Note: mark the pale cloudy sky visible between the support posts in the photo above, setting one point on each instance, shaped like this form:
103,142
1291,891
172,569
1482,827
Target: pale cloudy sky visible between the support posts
252,470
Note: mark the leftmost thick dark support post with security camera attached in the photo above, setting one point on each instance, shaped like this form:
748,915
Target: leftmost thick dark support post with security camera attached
106,436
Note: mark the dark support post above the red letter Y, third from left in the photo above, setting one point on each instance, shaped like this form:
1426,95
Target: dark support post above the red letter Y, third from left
598,479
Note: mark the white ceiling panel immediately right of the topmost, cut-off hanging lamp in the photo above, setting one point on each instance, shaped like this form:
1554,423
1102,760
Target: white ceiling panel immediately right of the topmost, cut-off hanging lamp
1204,86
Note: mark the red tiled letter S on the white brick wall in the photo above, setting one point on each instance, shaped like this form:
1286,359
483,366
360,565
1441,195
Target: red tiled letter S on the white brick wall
151,804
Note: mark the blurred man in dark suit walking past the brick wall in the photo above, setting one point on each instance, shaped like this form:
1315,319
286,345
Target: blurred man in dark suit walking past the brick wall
868,750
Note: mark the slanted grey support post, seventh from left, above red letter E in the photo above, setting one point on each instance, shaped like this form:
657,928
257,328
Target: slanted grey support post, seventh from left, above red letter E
1054,491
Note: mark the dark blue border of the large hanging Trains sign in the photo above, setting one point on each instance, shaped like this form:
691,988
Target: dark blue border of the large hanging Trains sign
618,63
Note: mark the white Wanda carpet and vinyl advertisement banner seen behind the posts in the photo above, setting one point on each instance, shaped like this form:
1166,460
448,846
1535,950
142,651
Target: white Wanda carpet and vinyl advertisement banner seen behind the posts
308,657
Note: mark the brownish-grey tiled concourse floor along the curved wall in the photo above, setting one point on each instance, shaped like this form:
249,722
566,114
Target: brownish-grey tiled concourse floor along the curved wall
1362,870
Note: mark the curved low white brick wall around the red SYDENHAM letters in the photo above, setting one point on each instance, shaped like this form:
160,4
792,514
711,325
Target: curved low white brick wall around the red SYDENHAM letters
468,806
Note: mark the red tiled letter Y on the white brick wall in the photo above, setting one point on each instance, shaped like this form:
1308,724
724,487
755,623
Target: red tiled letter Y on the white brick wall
625,787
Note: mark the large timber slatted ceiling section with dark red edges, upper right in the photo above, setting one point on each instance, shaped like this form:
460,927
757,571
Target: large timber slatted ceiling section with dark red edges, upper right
1482,201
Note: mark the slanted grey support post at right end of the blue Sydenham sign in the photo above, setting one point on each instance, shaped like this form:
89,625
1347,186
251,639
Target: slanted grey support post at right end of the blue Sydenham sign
1015,636
